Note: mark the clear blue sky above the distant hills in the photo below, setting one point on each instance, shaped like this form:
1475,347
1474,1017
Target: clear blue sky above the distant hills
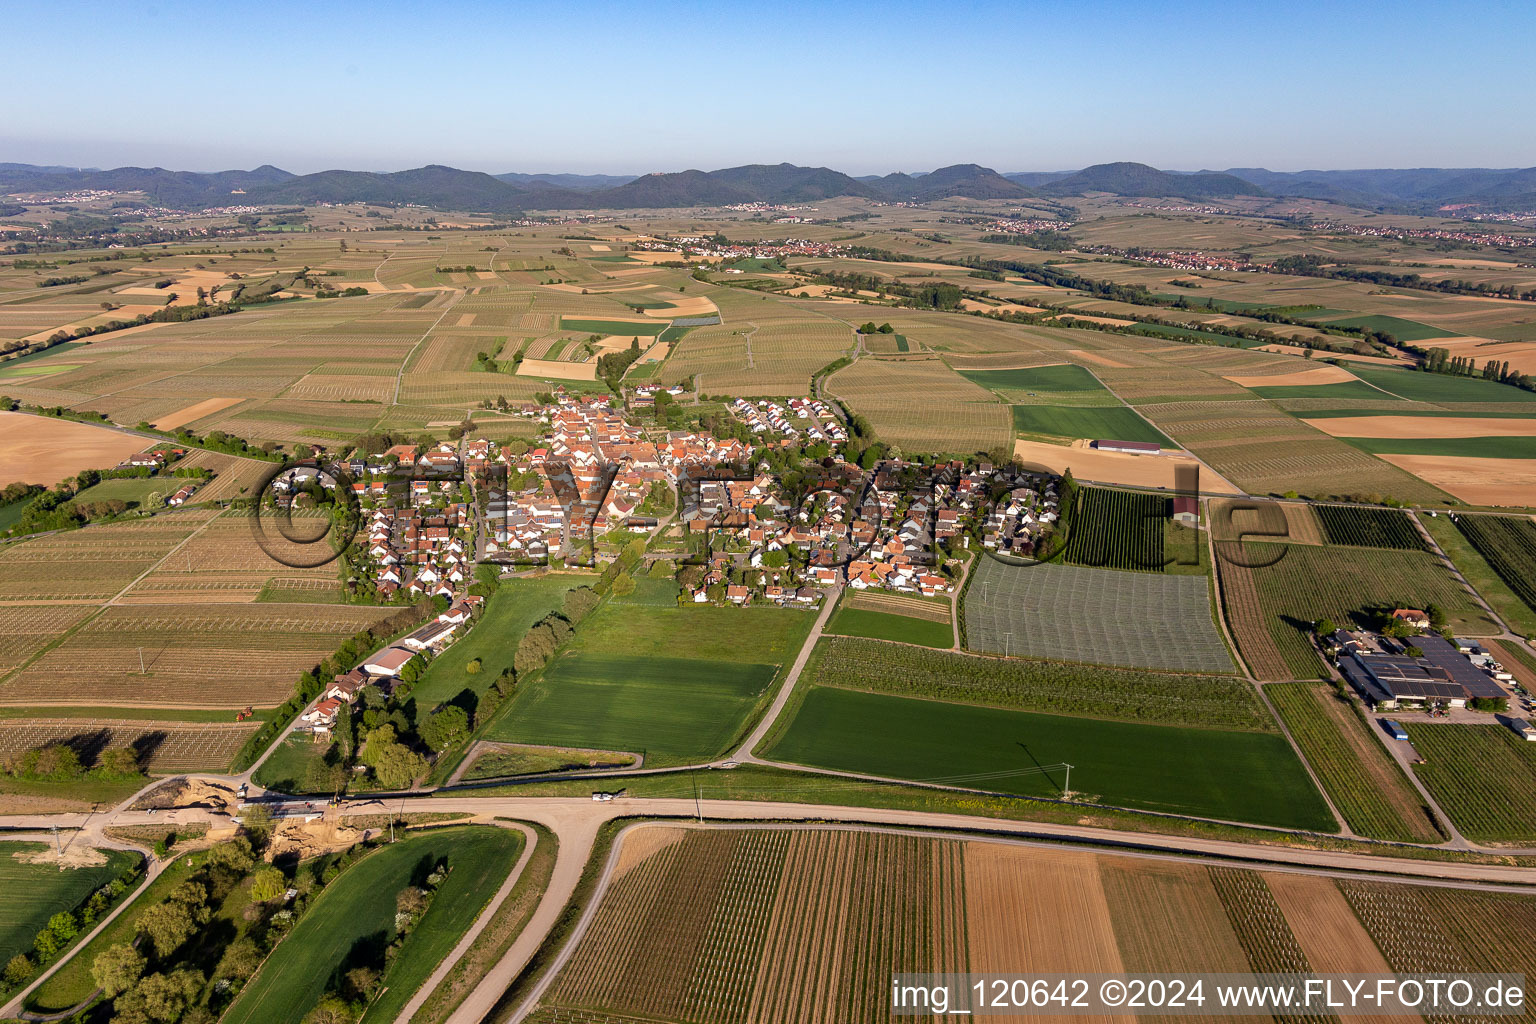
647,85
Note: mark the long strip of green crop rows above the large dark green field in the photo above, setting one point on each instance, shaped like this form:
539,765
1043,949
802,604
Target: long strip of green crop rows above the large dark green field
1196,701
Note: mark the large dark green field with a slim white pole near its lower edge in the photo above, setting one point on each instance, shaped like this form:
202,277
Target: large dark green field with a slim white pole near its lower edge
1233,776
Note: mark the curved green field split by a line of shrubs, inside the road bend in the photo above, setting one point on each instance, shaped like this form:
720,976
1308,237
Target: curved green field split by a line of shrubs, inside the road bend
354,919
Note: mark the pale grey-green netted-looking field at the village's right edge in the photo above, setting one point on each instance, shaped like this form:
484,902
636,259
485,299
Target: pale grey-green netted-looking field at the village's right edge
1096,616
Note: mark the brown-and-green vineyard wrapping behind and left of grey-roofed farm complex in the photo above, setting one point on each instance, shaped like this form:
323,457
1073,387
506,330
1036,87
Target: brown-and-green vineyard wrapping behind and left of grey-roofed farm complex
1273,595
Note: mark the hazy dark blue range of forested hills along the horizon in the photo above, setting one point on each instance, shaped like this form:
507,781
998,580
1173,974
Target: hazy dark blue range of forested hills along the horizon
1422,190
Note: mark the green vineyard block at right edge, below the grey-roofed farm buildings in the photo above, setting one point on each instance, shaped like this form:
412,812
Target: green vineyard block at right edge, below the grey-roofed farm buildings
1483,776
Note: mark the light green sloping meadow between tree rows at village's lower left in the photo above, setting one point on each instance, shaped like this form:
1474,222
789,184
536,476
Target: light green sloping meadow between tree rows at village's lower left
509,613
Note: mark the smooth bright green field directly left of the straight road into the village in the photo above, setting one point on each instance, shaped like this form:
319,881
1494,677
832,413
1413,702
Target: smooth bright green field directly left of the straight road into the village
672,710
